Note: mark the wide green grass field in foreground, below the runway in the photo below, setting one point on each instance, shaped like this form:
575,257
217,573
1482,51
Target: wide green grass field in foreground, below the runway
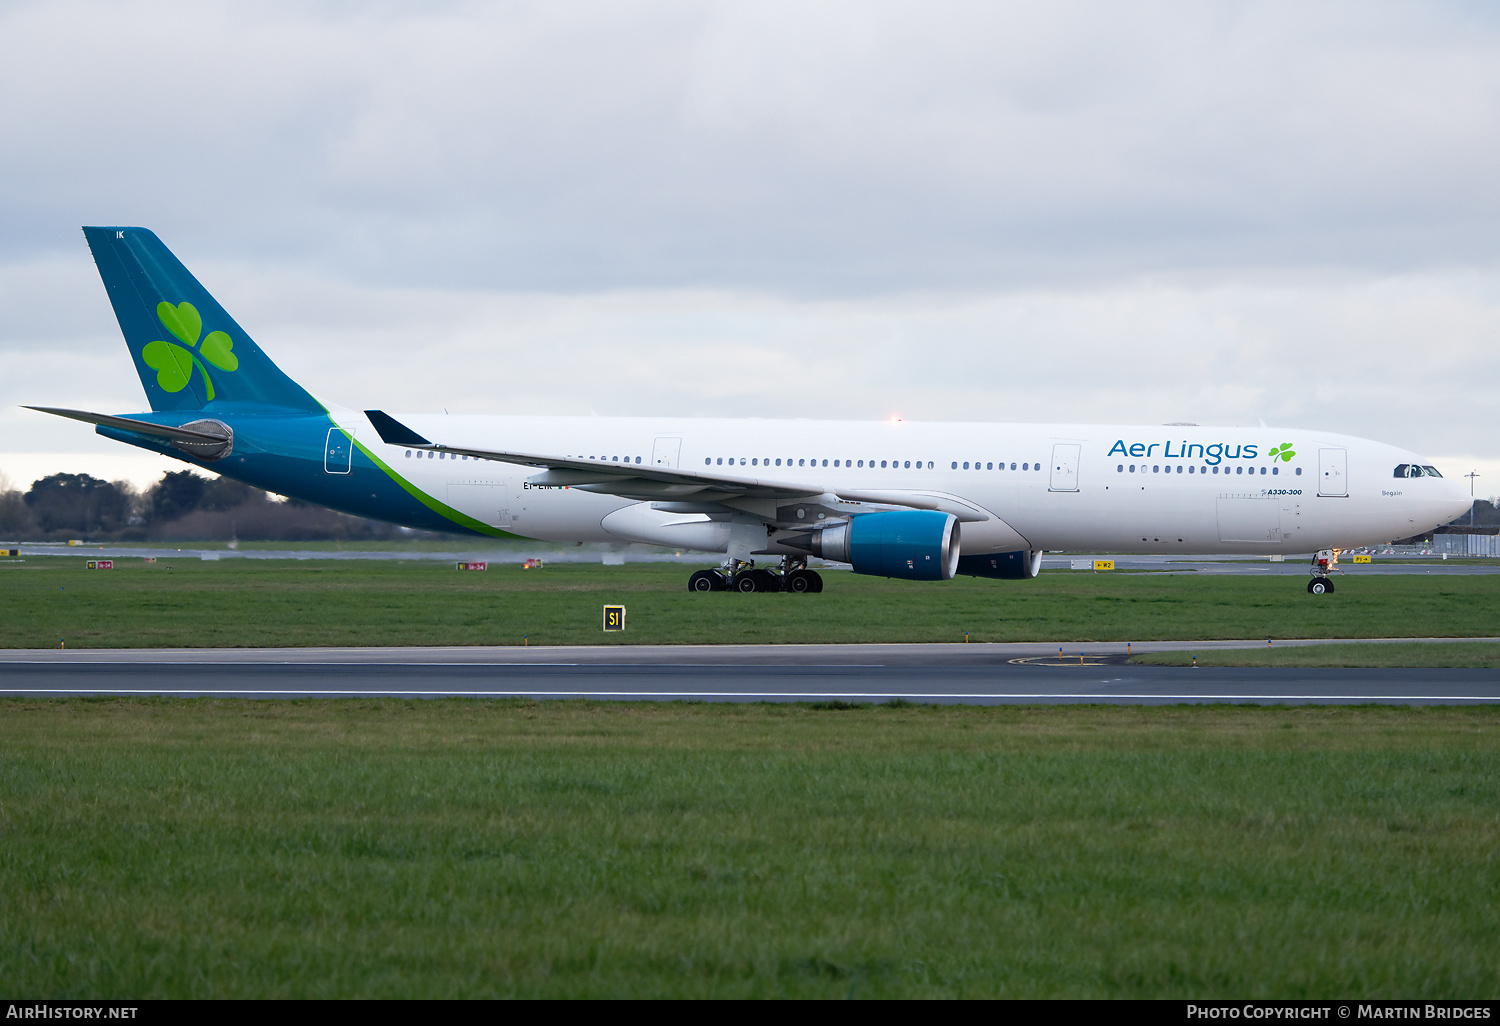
449,848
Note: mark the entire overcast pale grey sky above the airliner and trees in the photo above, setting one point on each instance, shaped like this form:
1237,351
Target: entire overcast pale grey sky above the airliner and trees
1142,214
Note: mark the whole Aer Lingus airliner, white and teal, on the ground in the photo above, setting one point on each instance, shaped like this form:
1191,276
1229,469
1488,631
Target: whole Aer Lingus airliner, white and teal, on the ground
920,502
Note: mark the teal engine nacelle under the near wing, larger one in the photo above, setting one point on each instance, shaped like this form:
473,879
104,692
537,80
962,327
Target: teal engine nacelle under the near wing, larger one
919,545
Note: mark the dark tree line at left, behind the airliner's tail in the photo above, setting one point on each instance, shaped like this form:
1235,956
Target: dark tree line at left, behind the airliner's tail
182,506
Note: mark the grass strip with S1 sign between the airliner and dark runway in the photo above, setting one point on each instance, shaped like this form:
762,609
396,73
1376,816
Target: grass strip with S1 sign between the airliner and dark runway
272,604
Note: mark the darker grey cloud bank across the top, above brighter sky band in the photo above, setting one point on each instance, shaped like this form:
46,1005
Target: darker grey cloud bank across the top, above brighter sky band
847,148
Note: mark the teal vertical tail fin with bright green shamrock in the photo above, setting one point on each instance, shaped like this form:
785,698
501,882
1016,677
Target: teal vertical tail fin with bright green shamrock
187,349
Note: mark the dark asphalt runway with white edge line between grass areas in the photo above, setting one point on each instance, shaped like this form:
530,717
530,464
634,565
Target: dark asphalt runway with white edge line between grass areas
947,674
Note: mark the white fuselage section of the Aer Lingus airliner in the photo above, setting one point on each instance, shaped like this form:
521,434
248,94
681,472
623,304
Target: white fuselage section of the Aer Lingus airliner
1045,487
